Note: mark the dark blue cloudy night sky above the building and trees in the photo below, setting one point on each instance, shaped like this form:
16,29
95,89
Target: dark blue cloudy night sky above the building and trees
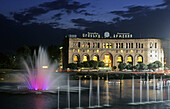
46,22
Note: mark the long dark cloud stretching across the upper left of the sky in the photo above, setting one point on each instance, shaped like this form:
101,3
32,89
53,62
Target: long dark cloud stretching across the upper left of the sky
67,5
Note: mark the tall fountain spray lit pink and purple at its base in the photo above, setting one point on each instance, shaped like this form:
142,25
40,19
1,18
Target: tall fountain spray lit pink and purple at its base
39,72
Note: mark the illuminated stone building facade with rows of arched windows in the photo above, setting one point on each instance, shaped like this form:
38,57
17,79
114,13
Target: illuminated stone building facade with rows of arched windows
112,51
